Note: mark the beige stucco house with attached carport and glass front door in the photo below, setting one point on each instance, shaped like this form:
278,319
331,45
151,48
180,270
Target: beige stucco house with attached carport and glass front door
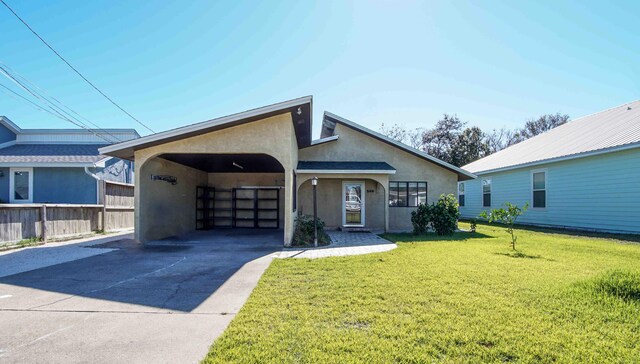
254,170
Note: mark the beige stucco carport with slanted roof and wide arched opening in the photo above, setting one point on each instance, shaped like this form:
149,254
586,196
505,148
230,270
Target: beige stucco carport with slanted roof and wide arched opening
232,172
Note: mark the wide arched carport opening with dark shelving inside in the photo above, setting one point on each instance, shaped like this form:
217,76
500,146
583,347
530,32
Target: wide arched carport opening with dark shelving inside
184,192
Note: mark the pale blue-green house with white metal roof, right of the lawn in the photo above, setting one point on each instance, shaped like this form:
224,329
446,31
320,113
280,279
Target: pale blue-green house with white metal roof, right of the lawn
584,174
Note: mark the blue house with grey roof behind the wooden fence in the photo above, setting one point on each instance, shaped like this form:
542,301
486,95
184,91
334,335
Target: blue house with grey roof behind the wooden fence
58,165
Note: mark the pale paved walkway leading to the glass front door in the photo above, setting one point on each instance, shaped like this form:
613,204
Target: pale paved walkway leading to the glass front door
342,244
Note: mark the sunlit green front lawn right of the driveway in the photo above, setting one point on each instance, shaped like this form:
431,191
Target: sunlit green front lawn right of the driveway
464,298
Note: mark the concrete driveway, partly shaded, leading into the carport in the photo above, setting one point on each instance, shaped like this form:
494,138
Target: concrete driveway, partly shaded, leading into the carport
162,303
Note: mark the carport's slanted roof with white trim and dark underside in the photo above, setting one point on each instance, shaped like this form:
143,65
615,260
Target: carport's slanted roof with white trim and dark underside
302,123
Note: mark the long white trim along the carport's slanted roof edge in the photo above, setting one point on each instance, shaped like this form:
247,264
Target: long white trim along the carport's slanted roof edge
206,124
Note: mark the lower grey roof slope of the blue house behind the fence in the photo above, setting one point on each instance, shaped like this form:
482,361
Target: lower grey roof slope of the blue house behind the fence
51,153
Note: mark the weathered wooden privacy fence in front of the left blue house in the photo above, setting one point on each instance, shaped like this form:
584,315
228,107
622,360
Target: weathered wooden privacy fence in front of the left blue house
57,221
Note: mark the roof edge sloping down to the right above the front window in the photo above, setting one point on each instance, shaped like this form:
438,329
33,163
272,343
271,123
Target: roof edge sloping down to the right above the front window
327,131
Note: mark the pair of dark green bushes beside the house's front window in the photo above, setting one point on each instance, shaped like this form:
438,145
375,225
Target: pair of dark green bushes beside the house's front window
442,215
